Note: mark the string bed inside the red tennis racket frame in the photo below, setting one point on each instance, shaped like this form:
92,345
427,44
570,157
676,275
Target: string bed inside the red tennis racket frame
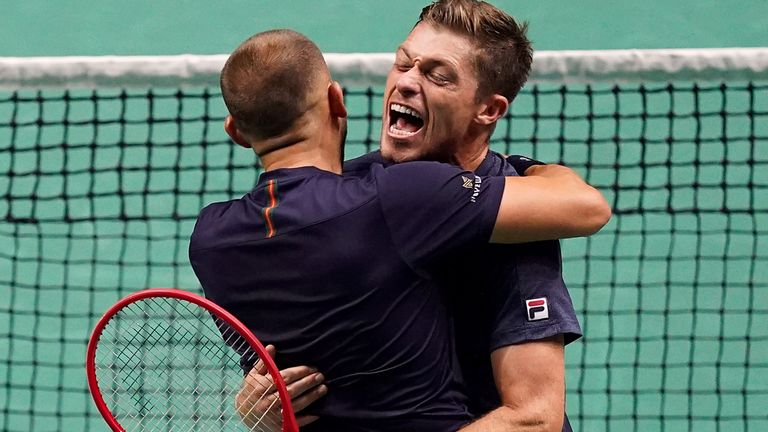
156,350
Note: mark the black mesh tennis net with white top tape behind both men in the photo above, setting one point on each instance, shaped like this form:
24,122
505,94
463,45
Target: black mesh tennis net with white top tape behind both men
105,163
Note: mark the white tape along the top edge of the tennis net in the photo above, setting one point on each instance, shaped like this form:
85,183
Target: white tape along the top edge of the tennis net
370,69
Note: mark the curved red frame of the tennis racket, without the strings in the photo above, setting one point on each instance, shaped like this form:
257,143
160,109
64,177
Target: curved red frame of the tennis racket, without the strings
289,419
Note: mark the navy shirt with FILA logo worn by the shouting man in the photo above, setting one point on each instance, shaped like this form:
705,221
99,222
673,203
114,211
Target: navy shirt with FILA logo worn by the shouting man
495,296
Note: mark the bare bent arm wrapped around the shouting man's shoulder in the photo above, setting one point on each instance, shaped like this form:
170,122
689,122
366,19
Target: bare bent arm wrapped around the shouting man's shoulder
549,202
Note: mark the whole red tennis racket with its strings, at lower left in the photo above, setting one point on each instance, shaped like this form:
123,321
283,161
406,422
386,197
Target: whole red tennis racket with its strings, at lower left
168,360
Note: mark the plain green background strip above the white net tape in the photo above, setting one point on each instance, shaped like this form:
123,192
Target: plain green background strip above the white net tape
144,27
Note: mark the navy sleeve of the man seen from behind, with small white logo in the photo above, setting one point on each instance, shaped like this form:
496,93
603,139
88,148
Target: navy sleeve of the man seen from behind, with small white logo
433,210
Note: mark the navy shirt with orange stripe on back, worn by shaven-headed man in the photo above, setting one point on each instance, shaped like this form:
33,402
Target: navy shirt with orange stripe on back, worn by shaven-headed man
336,272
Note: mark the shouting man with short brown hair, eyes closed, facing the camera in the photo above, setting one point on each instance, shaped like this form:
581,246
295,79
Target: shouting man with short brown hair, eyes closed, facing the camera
464,57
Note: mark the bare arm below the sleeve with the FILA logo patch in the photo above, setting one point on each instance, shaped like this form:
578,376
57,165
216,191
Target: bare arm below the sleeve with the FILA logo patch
530,378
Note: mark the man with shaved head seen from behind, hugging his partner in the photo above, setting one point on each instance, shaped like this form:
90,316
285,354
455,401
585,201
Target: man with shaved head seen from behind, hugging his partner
339,271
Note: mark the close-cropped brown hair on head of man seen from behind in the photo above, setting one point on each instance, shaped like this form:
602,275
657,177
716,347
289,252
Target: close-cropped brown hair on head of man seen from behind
270,80
